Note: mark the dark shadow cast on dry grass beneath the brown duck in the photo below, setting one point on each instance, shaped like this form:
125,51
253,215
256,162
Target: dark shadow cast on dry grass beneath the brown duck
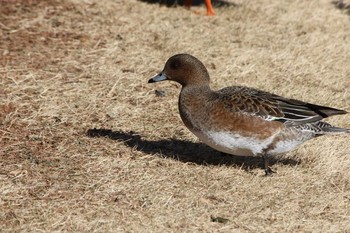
184,151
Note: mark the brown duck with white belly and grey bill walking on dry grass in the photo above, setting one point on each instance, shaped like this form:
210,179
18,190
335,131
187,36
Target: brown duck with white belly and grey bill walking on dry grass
240,120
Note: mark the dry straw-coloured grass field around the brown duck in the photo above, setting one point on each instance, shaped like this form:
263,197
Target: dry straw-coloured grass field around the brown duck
87,146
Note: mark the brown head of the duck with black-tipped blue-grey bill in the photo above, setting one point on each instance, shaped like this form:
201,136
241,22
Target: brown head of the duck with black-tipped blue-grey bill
184,69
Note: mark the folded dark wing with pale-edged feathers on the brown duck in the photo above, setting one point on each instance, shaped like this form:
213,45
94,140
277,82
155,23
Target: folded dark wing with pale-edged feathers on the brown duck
272,107
